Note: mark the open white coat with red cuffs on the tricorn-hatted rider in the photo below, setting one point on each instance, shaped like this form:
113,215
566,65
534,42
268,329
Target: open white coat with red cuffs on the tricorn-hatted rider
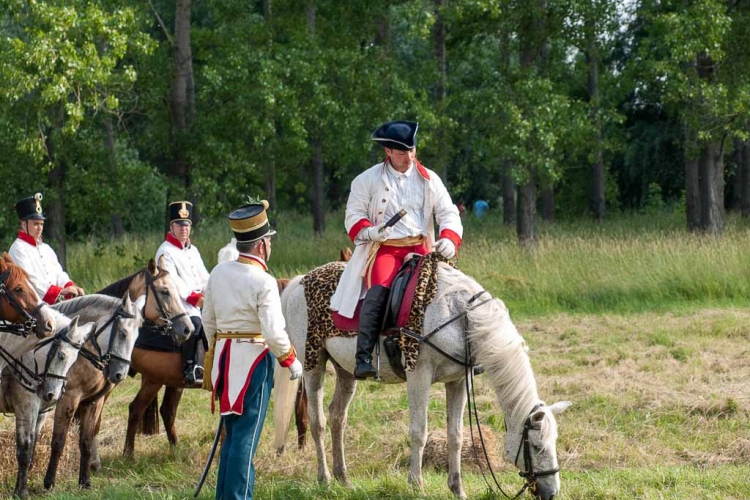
371,192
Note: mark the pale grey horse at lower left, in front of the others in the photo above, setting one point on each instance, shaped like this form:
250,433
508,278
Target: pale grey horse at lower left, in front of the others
38,380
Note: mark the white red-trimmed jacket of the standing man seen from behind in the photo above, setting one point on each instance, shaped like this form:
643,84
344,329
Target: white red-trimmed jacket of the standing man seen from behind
241,297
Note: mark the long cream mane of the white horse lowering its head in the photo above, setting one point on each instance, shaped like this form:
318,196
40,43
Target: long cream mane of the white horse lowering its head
497,345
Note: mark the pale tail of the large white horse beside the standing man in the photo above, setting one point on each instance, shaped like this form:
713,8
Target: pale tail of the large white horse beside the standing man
285,390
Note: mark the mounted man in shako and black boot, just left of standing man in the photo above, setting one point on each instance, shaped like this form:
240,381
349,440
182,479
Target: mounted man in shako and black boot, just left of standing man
185,265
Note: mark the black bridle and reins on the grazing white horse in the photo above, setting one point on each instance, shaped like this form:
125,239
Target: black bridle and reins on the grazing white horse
529,474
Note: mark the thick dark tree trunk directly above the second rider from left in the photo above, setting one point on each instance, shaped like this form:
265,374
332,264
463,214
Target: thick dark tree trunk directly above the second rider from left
182,93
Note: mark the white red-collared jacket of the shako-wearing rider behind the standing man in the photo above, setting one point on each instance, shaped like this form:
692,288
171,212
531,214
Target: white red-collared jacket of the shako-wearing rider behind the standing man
186,269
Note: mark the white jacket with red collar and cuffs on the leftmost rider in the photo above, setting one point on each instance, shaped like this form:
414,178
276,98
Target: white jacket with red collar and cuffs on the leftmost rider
41,264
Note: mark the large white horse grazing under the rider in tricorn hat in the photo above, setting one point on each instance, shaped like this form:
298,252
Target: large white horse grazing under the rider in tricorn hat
531,429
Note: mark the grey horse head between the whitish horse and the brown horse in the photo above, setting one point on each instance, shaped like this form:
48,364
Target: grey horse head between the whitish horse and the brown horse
119,344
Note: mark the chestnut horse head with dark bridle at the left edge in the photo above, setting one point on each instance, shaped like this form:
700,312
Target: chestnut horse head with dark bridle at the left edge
19,302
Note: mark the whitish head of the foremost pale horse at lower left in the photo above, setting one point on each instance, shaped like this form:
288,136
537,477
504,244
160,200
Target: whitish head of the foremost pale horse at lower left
56,356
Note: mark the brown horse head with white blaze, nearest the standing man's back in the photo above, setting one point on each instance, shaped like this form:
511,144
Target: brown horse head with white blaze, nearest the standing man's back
163,303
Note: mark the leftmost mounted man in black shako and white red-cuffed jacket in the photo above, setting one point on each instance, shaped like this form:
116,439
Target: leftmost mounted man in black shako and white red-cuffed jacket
37,258
